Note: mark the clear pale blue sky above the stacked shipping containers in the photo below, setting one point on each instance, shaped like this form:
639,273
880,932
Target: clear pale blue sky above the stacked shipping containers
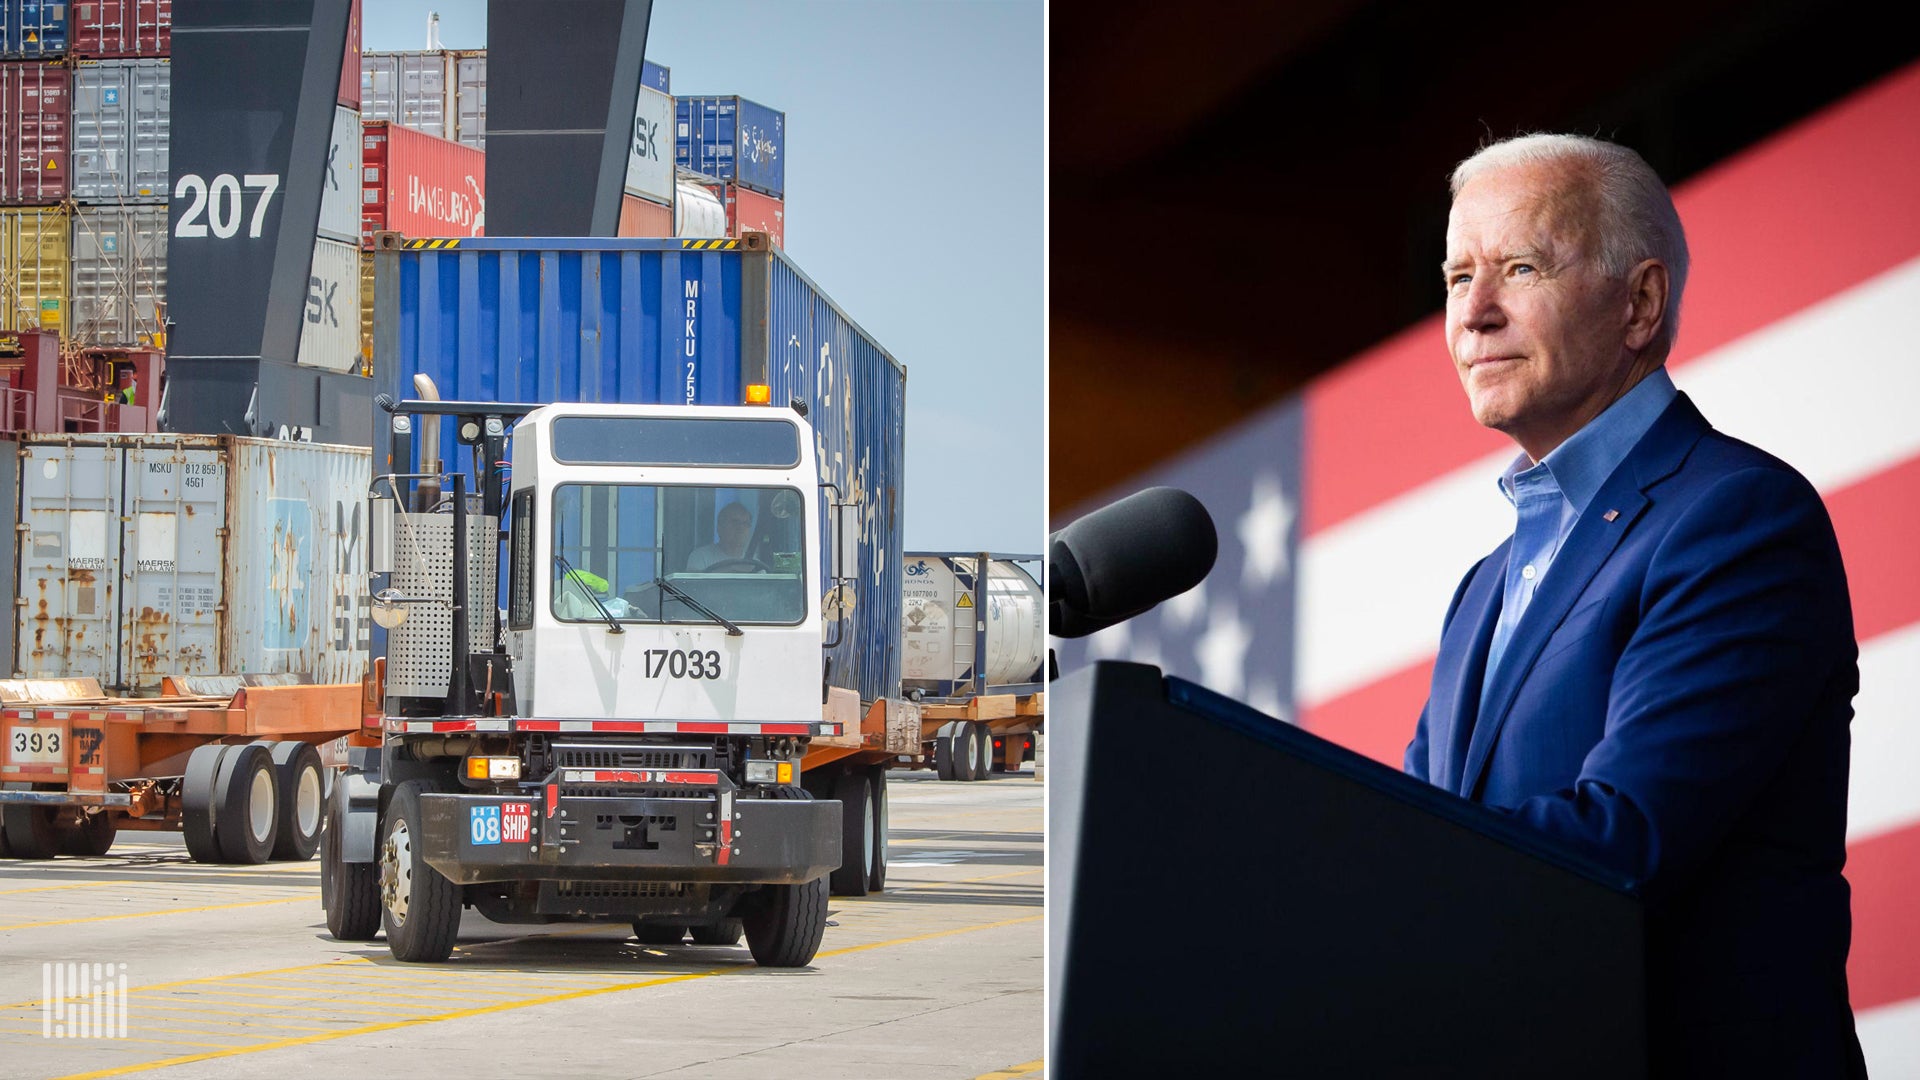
915,168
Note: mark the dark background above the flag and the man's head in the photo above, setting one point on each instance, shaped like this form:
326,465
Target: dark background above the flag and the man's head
1245,195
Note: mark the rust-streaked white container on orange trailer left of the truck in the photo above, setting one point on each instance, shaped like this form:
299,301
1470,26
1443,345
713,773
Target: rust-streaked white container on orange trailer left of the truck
166,554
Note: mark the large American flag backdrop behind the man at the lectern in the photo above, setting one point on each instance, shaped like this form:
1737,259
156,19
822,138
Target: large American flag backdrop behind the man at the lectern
1349,514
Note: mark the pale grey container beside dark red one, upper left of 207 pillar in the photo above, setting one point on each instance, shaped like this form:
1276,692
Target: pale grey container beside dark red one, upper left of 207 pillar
122,130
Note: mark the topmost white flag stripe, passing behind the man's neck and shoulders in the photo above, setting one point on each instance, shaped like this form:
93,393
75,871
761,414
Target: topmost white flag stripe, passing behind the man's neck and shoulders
1833,389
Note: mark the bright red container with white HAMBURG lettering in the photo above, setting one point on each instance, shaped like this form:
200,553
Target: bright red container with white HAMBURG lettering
420,185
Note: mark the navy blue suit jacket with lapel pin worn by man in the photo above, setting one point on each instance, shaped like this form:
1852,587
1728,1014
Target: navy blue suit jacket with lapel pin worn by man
1677,702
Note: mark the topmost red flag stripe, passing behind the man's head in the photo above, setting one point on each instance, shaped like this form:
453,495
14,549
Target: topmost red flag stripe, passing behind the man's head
1804,216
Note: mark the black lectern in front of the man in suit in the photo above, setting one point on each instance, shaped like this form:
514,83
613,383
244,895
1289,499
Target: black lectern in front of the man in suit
1232,896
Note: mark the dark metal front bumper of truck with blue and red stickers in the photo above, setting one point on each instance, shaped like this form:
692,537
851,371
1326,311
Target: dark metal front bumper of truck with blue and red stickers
631,839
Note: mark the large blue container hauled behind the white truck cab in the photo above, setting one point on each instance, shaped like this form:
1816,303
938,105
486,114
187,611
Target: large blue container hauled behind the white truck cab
665,322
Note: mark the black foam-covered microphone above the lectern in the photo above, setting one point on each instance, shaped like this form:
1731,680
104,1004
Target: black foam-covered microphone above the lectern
1126,558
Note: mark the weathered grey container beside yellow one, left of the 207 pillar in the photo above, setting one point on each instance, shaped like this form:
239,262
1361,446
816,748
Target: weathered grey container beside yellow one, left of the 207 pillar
120,276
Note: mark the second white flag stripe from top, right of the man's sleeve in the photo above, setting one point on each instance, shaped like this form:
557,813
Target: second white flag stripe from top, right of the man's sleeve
1886,737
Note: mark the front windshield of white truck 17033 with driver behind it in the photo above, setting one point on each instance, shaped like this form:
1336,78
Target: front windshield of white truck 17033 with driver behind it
738,552
